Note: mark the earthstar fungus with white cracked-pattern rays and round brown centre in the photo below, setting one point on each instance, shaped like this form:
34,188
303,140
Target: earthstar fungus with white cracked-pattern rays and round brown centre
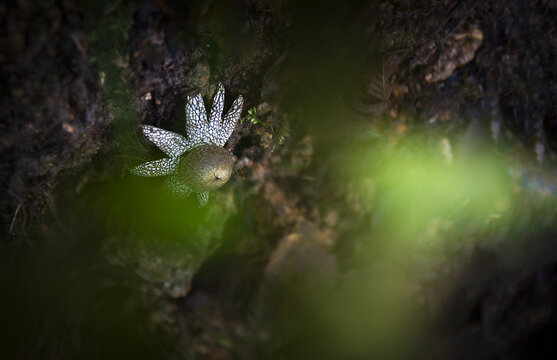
198,162
